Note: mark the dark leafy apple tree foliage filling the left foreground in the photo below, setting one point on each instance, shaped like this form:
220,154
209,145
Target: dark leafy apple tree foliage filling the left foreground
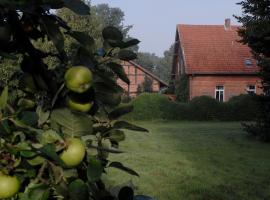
36,126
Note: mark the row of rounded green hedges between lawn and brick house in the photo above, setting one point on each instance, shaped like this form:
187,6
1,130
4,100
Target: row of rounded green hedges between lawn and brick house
155,106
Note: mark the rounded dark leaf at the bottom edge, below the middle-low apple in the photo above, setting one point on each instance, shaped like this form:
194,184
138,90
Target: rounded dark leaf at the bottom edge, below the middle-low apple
78,190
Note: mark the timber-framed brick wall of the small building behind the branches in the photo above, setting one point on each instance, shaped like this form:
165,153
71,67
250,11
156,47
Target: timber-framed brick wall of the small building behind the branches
136,77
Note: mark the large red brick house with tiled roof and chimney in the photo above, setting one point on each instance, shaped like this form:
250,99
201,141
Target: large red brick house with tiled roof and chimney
214,62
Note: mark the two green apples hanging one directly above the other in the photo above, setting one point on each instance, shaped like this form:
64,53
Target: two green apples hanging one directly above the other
79,80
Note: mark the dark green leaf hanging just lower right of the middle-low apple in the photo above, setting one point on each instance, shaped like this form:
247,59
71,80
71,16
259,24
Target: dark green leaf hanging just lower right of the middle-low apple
94,169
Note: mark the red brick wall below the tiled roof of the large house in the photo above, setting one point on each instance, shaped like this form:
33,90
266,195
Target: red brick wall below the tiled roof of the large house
233,85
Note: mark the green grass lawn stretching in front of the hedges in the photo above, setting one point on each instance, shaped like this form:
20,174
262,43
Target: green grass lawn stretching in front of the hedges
195,160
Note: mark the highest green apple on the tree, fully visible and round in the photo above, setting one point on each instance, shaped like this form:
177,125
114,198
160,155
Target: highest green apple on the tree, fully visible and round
78,79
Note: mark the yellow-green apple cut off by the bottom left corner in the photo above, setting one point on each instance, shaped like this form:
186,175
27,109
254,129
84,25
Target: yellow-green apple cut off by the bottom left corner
9,186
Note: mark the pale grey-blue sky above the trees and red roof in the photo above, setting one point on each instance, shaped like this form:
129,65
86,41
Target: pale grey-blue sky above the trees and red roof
154,21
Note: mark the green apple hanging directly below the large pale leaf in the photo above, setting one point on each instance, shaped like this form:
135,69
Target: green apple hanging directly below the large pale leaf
74,153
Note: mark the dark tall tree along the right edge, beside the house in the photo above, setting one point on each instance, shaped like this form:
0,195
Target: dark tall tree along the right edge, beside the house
256,34
